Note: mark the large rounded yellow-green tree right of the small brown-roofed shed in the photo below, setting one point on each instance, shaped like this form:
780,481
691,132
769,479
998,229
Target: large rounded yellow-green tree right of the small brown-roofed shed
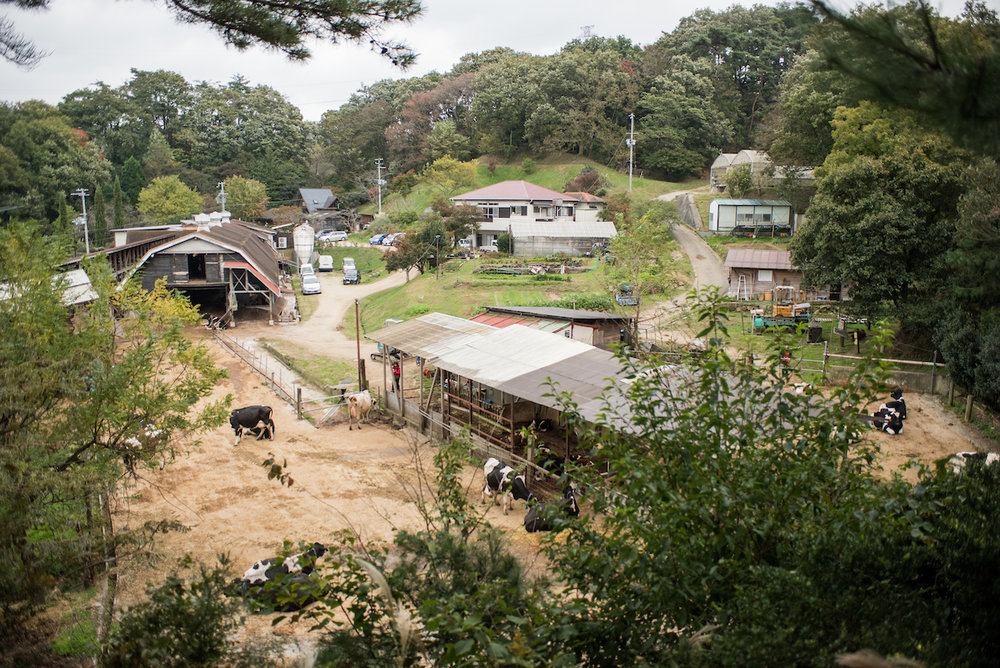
881,220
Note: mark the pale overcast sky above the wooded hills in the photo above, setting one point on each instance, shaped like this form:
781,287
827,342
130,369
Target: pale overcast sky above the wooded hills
100,40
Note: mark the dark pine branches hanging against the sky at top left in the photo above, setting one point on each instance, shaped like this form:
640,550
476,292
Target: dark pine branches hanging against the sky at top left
286,26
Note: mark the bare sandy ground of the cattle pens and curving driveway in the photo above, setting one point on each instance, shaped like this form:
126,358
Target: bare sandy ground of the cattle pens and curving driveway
364,480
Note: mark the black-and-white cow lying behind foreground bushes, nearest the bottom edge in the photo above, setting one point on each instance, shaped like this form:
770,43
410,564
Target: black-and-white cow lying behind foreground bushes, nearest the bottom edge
285,584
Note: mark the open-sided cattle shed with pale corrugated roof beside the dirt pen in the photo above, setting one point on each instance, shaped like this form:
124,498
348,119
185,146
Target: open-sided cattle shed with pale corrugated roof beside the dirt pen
496,380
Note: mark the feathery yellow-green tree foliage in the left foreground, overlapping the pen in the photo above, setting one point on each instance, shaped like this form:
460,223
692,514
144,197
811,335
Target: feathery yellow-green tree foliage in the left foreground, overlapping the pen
77,384
